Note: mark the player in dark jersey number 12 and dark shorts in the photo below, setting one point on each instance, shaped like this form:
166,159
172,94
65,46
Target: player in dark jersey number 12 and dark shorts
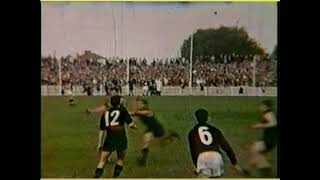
112,122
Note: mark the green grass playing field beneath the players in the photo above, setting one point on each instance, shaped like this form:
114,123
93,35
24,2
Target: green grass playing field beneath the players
69,136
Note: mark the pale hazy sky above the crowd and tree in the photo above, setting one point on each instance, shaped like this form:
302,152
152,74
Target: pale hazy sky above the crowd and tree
146,29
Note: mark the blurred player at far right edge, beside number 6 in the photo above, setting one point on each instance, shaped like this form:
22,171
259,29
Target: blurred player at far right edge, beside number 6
259,149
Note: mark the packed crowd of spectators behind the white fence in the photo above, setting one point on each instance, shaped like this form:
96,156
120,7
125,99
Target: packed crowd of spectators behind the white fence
171,71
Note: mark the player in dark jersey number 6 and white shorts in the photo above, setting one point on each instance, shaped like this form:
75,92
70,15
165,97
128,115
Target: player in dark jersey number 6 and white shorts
205,142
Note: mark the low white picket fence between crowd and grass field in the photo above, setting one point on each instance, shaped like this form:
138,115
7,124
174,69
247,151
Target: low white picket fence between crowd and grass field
175,91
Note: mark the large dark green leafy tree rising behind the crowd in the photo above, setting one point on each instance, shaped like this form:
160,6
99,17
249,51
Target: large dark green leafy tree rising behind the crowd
224,43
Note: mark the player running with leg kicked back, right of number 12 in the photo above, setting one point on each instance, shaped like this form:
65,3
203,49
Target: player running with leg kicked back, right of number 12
153,128
